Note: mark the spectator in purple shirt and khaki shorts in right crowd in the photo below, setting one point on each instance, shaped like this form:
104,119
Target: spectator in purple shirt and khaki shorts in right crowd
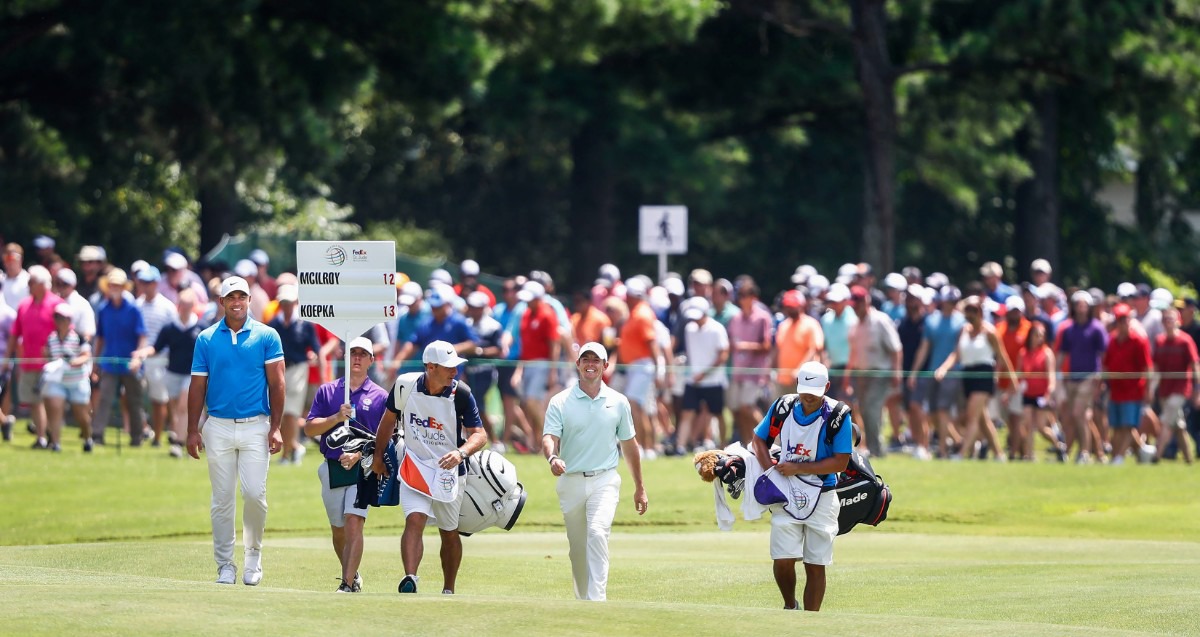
1082,342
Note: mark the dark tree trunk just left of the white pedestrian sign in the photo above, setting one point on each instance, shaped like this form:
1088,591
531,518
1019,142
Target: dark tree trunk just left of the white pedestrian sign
592,201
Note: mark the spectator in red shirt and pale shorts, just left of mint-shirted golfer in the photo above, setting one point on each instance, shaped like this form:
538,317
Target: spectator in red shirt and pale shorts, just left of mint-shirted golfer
539,348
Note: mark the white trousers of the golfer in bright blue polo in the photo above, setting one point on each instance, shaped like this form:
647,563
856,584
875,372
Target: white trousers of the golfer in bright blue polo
238,453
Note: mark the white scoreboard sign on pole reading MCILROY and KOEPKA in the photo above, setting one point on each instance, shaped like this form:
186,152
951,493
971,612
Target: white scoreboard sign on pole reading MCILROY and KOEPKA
347,287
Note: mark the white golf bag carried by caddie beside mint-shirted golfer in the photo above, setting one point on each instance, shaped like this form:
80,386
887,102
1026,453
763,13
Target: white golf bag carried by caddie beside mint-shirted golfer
491,495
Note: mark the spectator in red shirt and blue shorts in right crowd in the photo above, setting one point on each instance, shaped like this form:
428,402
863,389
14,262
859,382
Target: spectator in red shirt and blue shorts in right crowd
1127,364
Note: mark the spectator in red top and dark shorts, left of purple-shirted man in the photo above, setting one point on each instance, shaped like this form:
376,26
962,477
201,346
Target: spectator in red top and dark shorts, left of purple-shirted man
1036,364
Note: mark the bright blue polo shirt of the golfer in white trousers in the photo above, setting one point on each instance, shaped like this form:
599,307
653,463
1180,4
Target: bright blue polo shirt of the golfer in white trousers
238,389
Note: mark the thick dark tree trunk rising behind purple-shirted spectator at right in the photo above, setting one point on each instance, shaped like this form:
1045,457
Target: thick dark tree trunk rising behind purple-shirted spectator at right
1037,213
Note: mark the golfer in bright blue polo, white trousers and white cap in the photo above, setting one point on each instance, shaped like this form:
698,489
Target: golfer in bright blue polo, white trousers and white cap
238,377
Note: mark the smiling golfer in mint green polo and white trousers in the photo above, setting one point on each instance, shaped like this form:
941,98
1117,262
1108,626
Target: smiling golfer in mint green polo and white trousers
584,426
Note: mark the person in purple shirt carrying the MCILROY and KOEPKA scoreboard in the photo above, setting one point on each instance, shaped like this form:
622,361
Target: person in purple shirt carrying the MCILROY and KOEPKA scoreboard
329,410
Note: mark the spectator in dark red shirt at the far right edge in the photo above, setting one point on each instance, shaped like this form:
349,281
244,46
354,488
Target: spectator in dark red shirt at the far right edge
1179,368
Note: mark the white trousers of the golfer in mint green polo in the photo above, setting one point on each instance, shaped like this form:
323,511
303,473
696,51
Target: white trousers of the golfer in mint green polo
590,504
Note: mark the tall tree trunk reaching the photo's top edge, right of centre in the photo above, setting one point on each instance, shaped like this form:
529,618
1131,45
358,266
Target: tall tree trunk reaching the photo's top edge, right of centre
877,80
